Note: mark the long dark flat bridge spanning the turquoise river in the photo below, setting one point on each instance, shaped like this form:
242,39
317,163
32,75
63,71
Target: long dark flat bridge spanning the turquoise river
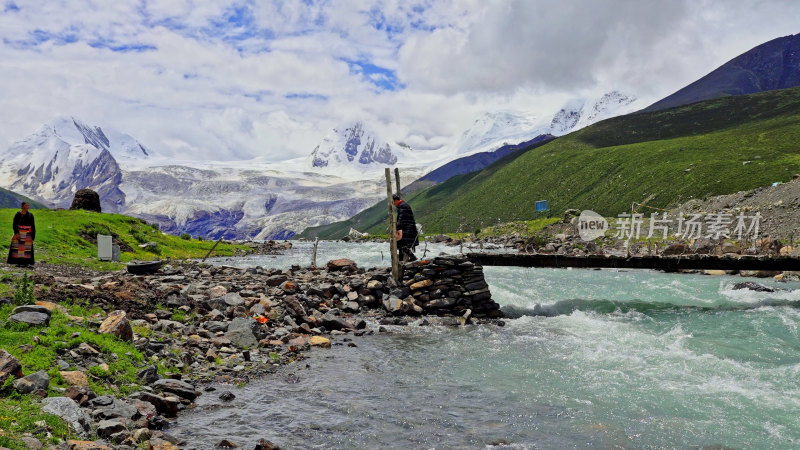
666,263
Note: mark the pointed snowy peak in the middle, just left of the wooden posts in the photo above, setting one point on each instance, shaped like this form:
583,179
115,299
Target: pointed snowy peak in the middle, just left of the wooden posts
353,147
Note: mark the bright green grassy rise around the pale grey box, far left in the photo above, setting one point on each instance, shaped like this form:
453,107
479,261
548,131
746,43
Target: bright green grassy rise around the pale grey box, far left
69,237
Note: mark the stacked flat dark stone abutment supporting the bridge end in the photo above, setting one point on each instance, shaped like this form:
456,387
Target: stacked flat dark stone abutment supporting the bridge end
448,285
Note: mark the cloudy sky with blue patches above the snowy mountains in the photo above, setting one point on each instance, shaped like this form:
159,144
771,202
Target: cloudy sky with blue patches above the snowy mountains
237,79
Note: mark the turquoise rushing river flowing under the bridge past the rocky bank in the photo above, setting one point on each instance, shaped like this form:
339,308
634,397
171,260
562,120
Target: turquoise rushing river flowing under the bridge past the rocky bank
608,358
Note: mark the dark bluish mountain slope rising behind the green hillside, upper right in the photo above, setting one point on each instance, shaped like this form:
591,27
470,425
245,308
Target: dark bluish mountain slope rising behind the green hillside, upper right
769,66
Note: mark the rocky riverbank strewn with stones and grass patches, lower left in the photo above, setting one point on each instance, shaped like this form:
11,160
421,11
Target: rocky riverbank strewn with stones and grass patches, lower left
129,352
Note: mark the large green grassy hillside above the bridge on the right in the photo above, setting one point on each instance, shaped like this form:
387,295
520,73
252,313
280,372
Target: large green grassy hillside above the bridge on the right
708,148
